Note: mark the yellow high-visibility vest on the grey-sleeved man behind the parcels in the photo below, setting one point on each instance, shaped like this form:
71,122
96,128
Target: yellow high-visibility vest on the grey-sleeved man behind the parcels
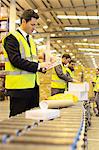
56,82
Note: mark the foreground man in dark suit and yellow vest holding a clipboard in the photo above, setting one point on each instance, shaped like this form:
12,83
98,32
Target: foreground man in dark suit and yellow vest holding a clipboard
21,65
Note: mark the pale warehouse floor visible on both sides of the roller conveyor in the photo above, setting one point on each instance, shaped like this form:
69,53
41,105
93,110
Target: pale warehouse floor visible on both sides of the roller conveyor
93,132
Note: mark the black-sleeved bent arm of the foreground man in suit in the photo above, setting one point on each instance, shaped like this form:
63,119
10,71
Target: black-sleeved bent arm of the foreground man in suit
11,46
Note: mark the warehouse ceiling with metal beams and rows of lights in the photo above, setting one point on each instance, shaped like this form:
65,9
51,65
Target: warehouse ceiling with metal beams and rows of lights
77,33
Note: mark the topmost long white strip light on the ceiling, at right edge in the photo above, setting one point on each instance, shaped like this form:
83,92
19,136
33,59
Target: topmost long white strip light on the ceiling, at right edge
77,17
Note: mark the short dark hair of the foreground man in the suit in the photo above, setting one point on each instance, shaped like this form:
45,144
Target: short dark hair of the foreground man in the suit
28,14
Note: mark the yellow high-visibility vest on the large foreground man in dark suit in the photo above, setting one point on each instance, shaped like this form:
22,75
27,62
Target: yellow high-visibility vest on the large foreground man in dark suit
17,78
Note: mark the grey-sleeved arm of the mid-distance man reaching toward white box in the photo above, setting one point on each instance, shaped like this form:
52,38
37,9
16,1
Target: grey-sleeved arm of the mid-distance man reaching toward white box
61,75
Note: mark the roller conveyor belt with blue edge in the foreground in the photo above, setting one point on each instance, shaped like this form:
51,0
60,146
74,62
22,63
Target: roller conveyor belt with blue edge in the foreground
62,133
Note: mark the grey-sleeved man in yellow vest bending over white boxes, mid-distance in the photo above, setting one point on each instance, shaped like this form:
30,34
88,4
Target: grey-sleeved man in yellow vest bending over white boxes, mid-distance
60,77
